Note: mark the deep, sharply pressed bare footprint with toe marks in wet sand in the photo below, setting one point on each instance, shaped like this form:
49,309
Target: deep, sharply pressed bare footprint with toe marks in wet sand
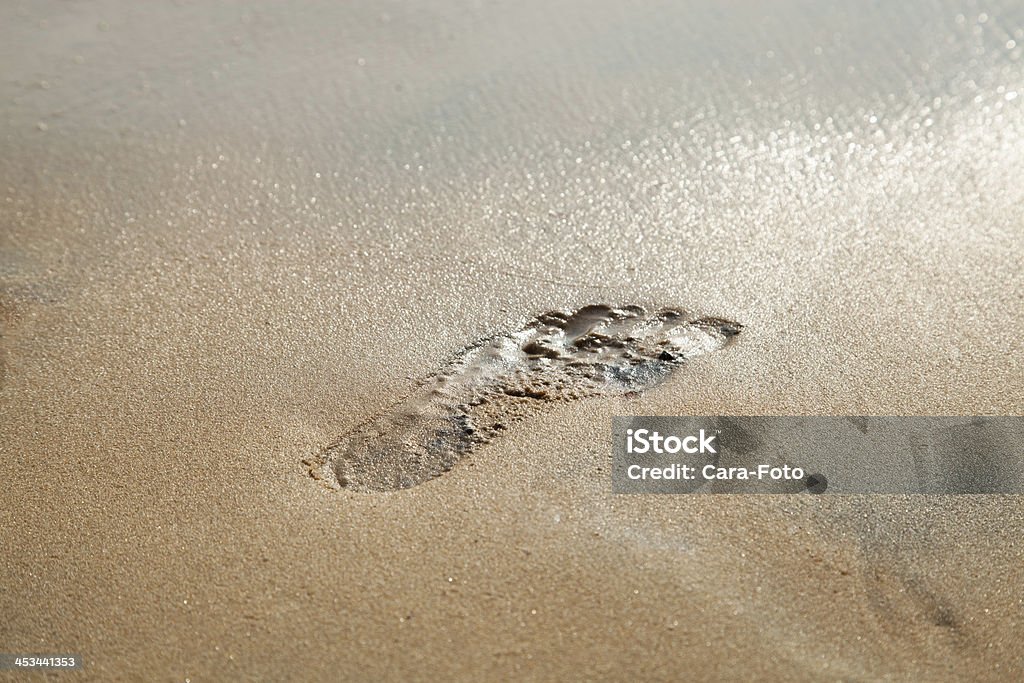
490,387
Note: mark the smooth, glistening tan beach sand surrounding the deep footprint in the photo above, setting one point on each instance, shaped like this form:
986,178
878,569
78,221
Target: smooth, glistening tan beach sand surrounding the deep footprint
230,234
